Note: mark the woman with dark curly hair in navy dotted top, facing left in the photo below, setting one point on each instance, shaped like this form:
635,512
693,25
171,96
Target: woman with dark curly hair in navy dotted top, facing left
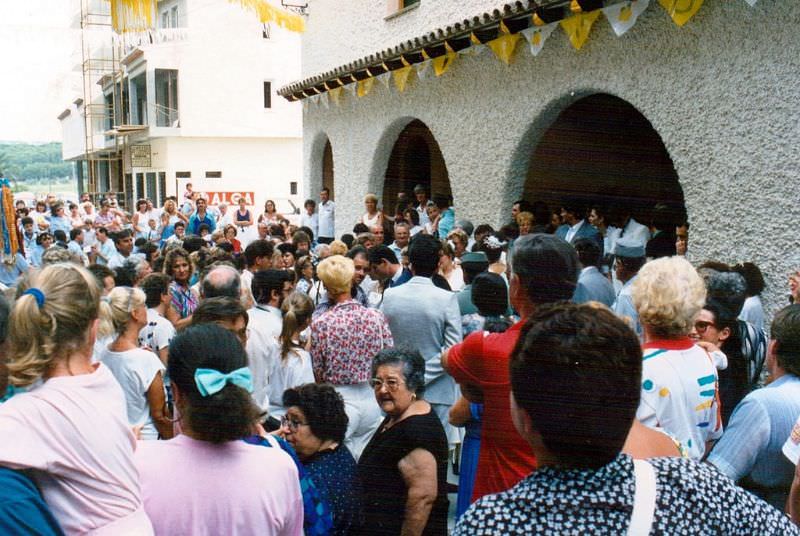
315,424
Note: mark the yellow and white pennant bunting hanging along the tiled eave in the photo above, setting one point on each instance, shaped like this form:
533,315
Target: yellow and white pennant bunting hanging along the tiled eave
621,16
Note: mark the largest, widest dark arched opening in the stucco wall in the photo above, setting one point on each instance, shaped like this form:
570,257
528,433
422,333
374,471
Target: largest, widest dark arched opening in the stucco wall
601,150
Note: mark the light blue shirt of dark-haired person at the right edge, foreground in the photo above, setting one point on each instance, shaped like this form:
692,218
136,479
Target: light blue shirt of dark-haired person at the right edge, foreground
752,442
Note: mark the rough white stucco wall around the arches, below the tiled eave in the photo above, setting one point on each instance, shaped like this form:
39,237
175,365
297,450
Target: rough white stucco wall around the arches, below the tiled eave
721,91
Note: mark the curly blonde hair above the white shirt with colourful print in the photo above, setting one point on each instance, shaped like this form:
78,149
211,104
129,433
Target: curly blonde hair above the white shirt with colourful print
668,293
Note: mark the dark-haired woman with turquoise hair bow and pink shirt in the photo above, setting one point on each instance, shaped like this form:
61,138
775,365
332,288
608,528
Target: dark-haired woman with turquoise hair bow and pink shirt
206,480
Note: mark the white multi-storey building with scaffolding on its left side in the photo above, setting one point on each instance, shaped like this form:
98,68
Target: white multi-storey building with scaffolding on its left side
195,102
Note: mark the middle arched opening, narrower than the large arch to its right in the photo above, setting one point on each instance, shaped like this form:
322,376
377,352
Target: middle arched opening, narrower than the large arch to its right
415,159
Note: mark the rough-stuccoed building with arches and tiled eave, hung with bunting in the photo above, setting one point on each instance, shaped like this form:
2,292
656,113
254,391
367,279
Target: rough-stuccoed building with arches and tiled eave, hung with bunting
702,116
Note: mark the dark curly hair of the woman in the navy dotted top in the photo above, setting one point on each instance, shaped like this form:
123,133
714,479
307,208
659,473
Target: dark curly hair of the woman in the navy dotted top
323,408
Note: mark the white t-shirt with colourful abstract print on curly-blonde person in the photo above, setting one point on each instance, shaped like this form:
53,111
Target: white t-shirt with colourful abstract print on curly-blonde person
680,394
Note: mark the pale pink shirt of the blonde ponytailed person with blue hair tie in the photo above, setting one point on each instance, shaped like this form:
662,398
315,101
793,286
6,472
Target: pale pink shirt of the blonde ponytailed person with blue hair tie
73,432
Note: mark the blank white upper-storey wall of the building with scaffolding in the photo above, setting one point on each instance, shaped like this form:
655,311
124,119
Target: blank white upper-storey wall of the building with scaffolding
221,69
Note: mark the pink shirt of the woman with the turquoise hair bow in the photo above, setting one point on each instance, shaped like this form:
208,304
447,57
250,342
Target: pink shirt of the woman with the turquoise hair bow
196,487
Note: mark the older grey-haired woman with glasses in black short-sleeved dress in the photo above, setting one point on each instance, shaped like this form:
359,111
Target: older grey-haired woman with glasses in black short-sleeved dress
404,466
